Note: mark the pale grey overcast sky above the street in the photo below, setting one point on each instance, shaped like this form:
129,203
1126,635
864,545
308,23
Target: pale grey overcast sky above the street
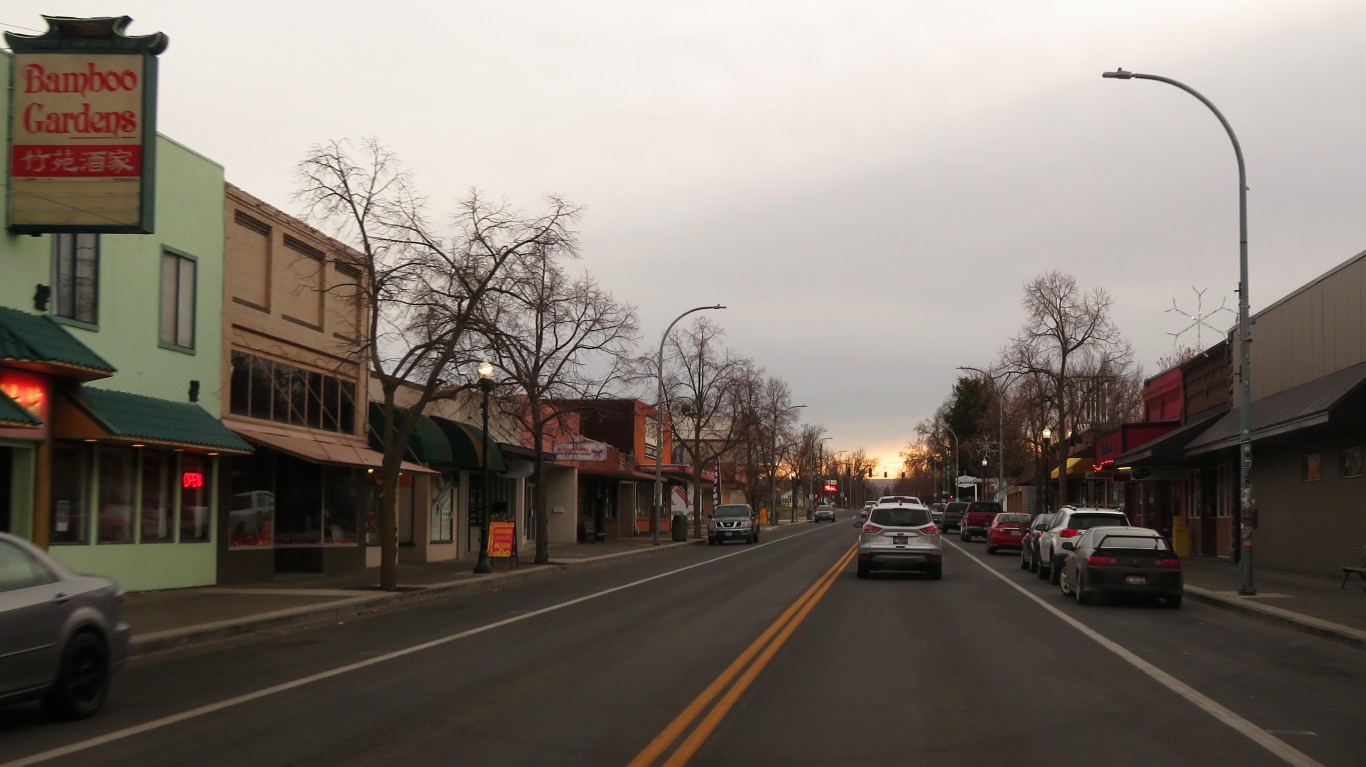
867,185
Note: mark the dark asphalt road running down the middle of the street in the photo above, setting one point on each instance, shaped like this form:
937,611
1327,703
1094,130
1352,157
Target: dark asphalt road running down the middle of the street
771,654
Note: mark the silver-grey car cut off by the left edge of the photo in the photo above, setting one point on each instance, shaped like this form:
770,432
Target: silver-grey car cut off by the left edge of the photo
62,635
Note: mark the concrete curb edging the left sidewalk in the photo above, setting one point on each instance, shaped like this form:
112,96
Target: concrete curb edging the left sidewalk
350,608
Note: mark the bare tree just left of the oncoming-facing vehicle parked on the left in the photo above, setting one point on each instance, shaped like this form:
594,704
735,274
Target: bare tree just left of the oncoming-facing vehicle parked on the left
704,400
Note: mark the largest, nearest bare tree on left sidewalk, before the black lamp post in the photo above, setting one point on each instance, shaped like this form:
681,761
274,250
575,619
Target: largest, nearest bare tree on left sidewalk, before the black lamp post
421,292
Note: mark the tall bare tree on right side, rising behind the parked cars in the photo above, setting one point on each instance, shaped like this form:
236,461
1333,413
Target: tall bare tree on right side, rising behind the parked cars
1066,332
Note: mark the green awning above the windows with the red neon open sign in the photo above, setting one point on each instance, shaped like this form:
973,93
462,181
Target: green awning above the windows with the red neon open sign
132,419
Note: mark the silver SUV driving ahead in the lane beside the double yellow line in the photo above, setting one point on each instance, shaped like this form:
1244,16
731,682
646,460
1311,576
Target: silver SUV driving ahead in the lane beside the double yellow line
901,538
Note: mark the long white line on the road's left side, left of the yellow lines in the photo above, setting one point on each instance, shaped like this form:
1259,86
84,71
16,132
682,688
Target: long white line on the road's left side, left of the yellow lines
285,687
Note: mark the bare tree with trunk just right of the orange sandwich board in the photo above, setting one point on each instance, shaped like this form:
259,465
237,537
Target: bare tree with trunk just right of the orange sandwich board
561,341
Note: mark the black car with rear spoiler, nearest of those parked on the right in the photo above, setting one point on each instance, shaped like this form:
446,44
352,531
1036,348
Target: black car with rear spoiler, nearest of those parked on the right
1107,561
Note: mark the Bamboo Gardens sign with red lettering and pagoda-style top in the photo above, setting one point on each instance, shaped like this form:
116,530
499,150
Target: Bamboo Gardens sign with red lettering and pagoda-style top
83,128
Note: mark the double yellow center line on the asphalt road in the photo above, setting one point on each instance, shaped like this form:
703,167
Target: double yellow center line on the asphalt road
742,673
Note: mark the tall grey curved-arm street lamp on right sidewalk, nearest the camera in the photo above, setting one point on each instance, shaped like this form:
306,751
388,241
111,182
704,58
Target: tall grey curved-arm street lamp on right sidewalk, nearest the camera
1246,522
